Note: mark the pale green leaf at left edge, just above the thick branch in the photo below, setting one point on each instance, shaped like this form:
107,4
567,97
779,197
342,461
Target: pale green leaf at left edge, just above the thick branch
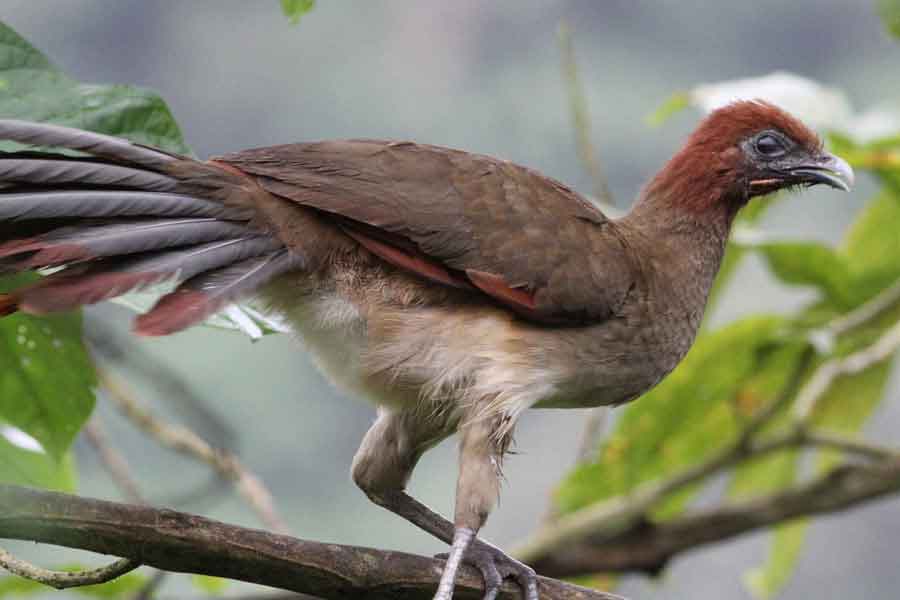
20,466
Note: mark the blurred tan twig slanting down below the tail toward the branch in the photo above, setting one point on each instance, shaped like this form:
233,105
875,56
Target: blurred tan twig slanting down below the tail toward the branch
185,441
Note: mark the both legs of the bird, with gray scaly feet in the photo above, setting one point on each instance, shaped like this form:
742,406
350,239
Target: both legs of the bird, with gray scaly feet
382,467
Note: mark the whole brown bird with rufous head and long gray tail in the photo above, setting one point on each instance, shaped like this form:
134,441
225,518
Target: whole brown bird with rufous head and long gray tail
453,290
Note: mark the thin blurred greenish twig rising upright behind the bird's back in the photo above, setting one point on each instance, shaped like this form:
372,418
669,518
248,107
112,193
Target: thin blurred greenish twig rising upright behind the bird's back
581,121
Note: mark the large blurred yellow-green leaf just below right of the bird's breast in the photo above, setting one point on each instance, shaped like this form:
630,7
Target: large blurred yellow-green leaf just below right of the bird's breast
689,416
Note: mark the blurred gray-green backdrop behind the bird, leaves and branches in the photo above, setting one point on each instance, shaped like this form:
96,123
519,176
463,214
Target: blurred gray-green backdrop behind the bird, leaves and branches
483,76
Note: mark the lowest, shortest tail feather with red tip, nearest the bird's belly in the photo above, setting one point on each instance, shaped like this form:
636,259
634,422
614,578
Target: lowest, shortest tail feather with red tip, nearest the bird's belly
203,295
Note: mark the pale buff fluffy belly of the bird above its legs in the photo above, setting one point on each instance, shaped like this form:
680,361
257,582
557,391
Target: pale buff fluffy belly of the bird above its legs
425,360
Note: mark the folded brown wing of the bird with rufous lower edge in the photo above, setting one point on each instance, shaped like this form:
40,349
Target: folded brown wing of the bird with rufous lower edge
460,219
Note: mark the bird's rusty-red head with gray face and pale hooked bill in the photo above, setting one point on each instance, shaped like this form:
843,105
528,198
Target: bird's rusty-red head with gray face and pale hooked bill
743,150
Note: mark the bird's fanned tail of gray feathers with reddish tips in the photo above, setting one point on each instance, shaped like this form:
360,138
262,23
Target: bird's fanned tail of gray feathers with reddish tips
121,219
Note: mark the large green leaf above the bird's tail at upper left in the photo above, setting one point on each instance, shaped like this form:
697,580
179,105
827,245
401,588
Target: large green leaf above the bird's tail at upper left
32,88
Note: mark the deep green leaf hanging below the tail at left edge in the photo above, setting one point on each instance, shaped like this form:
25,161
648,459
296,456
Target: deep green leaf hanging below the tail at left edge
46,378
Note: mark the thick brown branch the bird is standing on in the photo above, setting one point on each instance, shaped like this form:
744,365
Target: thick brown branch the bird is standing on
181,542
